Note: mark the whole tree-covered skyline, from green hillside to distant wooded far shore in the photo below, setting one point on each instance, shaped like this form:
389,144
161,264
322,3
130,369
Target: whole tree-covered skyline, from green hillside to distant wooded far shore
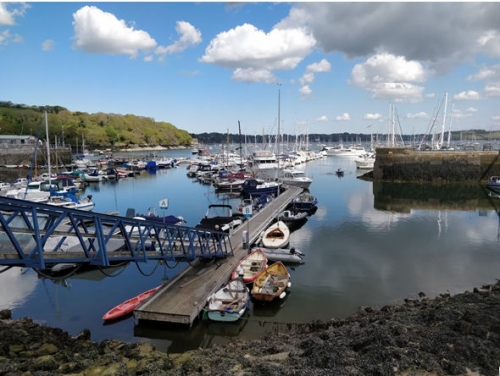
100,130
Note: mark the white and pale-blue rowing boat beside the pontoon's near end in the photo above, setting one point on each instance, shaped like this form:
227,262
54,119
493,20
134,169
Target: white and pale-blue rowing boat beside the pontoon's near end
228,303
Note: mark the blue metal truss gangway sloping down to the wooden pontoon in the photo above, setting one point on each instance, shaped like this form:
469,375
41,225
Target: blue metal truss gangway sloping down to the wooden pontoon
35,234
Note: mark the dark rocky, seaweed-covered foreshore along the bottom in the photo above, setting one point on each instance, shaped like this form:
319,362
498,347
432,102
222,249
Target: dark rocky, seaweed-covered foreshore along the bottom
447,335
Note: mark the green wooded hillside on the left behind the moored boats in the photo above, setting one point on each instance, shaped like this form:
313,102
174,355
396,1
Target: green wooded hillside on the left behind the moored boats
98,130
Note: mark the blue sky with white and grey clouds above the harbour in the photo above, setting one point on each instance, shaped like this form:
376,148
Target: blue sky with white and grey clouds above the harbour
204,66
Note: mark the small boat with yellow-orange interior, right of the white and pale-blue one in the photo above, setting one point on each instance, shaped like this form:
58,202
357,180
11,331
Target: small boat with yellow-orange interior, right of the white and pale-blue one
271,283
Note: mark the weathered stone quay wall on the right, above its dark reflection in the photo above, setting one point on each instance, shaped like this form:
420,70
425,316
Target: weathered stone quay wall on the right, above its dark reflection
406,164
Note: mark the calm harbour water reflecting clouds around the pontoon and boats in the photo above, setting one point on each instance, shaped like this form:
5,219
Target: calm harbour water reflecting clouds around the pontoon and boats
367,245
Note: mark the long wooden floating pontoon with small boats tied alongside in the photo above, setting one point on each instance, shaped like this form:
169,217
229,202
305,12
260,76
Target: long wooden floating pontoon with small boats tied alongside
181,300
